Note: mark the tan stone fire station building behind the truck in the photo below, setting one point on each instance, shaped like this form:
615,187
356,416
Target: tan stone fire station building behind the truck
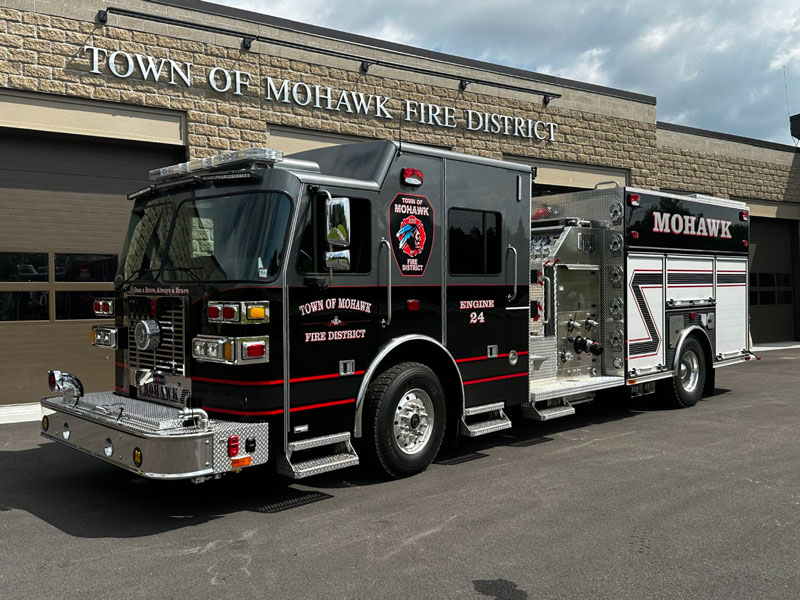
92,96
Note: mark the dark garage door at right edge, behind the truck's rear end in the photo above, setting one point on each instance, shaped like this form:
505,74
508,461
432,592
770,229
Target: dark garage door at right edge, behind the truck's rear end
772,302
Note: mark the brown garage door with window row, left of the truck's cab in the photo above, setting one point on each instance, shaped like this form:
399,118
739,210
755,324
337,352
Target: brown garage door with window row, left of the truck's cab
64,218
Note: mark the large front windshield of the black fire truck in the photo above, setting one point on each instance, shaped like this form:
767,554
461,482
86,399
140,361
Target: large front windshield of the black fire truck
238,237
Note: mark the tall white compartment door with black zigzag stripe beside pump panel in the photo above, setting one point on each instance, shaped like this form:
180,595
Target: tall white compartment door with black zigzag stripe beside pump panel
645,312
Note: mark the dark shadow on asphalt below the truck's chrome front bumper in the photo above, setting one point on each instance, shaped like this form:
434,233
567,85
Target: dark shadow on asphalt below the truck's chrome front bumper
84,497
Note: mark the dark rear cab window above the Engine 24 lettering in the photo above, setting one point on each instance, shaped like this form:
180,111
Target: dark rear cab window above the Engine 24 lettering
474,242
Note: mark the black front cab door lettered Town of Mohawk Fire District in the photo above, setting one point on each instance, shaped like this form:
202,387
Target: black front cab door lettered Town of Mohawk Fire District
334,319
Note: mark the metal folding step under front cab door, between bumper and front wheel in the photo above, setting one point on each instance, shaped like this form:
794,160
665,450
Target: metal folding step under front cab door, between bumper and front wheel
313,456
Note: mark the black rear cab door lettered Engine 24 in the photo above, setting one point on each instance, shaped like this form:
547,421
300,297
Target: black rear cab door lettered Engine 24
486,278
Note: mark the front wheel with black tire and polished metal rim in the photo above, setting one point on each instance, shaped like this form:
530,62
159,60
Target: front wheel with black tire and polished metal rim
406,399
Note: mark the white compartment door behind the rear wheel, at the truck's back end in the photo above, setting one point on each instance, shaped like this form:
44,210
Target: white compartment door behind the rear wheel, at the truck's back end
732,310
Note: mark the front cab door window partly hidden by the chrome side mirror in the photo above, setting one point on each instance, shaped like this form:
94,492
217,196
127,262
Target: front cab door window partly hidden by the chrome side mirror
311,258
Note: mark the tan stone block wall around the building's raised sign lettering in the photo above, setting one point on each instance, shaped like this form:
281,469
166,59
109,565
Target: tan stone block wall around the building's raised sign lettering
44,53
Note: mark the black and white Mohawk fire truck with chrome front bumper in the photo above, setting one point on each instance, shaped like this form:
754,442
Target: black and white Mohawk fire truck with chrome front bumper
360,302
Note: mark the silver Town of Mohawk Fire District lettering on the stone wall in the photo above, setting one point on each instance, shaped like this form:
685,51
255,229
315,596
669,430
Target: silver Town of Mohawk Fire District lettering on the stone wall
123,64
